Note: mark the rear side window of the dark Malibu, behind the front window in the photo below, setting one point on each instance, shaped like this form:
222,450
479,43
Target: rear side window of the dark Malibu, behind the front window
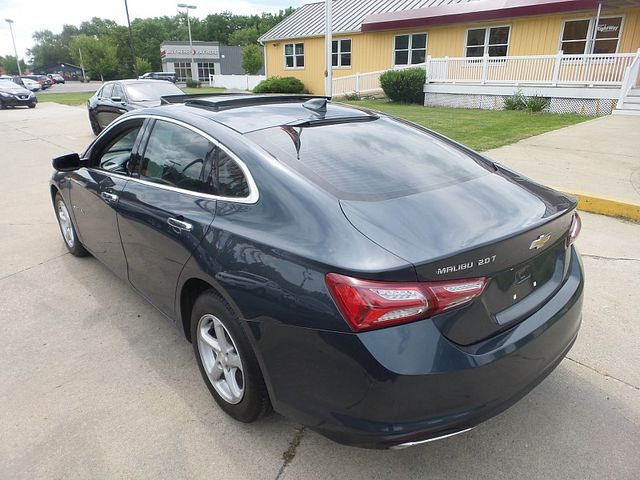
179,157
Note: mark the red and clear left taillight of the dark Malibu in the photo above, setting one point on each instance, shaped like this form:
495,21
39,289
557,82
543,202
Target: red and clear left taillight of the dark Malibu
369,304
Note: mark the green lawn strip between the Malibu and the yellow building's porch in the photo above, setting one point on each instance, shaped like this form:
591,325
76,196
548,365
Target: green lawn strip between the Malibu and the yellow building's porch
478,129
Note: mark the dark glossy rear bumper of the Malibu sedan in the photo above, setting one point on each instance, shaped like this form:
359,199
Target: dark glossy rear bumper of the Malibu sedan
408,384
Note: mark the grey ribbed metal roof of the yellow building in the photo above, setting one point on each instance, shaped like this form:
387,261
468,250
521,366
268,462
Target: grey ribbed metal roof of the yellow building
347,16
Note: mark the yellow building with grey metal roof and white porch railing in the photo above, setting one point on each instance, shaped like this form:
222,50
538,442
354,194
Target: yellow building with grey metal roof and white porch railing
487,44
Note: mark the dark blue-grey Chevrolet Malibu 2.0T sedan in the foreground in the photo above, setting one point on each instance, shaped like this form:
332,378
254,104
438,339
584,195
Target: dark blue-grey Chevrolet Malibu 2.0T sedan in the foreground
362,275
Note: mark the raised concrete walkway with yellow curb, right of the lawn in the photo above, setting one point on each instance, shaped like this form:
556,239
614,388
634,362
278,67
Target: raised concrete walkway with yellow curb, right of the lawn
600,158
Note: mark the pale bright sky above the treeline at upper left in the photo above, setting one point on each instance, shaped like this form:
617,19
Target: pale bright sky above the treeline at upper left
30,16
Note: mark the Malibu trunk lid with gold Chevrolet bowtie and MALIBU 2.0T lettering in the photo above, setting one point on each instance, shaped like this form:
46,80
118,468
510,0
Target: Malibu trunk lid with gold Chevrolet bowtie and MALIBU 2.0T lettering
500,226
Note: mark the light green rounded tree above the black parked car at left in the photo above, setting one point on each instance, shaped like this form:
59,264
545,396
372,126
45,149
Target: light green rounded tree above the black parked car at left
99,56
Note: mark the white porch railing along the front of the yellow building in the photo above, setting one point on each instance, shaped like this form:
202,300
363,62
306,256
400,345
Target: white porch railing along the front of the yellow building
545,70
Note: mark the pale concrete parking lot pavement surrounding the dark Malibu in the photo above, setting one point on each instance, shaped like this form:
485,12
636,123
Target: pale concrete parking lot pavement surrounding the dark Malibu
96,384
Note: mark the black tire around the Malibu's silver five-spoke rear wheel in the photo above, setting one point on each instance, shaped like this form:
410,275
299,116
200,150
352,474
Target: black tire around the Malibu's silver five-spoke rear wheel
255,399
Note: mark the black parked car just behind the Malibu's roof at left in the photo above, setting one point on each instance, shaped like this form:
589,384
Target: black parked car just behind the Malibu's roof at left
121,96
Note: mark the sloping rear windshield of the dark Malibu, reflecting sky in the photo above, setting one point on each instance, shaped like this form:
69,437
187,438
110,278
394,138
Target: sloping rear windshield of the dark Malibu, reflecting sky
373,160
